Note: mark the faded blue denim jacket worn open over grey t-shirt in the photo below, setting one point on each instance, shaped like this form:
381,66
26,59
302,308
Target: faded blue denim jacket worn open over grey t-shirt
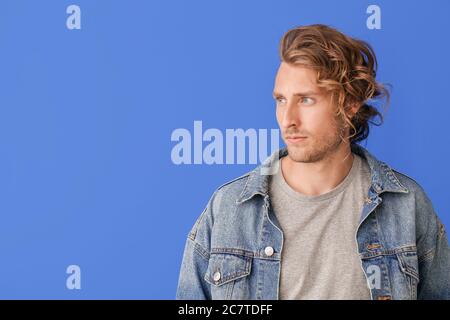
233,250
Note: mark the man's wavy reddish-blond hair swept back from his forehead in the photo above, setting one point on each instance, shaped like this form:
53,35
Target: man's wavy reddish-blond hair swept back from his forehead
346,68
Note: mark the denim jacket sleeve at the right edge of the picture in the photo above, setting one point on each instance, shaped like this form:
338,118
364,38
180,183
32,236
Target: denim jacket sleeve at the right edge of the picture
434,257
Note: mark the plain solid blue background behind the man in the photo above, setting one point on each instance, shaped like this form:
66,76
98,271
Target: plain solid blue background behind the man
86,117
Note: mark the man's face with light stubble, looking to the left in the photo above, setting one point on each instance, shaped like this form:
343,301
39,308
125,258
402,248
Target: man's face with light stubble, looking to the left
305,115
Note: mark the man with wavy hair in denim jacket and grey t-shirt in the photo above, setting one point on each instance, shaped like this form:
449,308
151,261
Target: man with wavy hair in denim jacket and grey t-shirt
321,218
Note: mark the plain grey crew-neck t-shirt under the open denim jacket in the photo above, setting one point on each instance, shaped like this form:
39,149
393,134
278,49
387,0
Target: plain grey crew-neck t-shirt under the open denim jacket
319,259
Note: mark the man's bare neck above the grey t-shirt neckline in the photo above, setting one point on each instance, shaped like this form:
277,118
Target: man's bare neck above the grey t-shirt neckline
318,177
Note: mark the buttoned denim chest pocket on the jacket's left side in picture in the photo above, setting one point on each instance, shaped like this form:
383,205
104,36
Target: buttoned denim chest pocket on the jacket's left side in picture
228,275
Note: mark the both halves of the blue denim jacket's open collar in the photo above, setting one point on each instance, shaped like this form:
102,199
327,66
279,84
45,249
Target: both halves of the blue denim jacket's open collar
383,179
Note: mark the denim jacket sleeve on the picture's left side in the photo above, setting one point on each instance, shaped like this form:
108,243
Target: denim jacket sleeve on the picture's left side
191,282
